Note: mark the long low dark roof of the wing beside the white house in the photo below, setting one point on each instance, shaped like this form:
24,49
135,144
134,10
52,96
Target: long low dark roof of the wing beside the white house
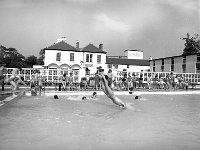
135,62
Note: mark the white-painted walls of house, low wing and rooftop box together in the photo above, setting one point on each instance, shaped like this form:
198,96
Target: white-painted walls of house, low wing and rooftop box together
80,61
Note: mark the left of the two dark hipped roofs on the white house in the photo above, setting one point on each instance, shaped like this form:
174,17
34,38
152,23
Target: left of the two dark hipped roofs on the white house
63,46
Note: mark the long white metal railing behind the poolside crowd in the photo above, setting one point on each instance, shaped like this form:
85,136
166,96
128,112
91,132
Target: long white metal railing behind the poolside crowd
52,75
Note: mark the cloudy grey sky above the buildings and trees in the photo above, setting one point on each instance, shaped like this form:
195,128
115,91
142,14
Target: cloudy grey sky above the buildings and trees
152,26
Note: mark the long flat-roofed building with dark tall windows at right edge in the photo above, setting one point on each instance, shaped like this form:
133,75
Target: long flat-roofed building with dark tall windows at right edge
178,64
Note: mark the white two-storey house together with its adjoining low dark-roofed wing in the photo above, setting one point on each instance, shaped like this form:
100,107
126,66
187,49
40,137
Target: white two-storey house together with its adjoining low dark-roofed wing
62,55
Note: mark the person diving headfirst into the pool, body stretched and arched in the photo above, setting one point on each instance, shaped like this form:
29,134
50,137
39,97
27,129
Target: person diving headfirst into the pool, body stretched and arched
107,90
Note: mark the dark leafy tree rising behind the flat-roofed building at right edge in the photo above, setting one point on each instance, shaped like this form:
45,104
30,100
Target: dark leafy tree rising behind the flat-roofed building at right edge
192,44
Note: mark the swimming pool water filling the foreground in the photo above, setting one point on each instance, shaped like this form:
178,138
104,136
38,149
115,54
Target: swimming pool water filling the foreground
167,122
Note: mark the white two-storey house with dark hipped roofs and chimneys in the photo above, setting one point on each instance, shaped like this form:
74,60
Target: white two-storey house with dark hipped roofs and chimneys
61,55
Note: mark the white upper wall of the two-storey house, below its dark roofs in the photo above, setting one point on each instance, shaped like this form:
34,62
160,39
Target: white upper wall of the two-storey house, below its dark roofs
79,60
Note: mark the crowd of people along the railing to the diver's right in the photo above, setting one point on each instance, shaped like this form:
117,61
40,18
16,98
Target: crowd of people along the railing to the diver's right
171,81
